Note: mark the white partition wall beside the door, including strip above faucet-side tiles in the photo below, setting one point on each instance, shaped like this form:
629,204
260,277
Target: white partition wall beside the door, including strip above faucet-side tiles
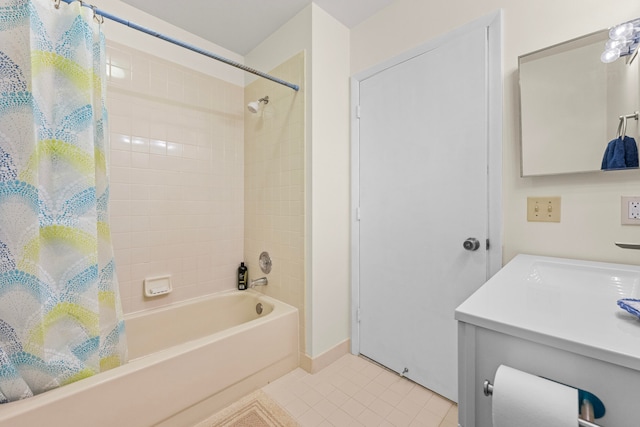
327,166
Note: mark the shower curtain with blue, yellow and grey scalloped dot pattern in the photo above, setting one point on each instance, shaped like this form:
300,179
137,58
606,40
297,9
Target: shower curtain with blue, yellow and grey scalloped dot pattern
60,313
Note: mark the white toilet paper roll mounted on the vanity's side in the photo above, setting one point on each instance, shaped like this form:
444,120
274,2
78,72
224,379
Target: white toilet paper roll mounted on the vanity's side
525,400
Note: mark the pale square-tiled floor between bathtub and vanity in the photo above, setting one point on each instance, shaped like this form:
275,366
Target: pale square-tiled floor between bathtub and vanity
356,392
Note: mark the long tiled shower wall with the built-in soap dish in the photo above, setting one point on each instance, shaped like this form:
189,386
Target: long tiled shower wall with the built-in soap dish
177,182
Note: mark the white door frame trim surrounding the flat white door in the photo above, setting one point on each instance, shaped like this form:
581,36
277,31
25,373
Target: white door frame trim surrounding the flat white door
493,24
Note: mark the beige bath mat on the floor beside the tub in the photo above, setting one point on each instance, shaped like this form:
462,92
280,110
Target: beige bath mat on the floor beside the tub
254,410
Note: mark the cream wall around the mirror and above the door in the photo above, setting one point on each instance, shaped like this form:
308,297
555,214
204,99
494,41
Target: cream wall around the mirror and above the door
590,202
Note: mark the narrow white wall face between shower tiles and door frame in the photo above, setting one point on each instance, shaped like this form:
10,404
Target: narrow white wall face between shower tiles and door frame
330,194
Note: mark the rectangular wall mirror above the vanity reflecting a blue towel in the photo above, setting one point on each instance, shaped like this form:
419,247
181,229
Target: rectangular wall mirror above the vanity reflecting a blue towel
570,103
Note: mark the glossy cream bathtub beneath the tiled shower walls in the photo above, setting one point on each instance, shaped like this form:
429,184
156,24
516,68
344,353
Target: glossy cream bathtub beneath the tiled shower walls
186,362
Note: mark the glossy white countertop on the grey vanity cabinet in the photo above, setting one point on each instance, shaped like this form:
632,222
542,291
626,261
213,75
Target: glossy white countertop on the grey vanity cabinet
563,303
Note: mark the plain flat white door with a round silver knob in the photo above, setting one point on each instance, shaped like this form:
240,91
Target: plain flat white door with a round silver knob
423,191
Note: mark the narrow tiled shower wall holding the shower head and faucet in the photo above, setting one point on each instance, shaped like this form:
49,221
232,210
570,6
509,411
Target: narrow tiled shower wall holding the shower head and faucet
275,185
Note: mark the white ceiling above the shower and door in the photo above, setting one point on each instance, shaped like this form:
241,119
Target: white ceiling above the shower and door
240,25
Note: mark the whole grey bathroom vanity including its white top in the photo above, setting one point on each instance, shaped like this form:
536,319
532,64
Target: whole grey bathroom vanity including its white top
558,319
